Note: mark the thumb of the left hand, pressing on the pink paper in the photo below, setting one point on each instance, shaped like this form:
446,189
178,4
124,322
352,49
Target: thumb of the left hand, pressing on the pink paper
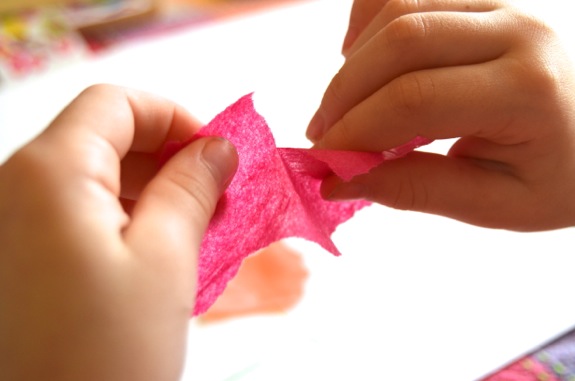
175,208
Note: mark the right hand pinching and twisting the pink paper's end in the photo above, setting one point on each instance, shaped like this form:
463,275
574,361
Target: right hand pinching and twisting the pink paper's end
478,70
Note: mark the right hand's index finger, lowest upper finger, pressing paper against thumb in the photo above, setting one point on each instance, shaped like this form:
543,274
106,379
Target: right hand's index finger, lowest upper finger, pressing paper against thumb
477,100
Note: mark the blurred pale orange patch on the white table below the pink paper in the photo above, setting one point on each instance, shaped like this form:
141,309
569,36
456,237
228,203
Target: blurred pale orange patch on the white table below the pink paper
269,281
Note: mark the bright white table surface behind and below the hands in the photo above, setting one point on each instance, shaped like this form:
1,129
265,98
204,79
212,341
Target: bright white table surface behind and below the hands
413,297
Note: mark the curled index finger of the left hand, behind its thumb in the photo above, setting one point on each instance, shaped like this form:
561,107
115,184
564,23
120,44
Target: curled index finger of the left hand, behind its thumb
105,122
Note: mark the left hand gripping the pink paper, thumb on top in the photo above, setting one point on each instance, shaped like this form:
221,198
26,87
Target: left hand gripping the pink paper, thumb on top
88,289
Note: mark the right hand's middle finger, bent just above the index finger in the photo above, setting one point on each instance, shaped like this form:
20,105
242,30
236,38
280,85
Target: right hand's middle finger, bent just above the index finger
421,41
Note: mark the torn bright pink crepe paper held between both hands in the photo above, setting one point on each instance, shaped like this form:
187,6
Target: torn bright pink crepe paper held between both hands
275,194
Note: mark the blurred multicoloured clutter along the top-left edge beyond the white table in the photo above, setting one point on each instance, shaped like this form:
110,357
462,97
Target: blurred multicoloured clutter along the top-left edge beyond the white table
36,35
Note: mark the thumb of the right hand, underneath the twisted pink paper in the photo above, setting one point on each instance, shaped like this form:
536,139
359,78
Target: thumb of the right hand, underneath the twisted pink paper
451,187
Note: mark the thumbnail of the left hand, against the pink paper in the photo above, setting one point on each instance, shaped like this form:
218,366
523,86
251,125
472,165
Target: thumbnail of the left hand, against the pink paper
221,158
